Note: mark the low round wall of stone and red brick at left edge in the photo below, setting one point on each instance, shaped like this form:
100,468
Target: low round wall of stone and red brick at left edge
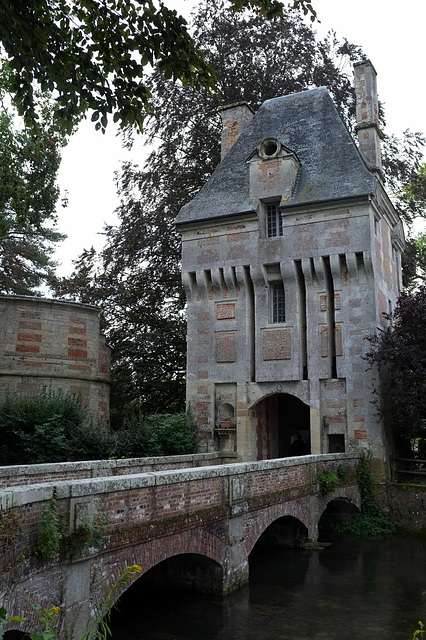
56,345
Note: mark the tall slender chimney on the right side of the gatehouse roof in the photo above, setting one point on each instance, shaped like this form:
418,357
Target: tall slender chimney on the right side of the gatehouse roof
367,115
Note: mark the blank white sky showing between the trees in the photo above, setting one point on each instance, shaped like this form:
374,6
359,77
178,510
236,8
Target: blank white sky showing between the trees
392,35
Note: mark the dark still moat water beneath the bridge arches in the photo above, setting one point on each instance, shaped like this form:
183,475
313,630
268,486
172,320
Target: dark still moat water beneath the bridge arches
351,590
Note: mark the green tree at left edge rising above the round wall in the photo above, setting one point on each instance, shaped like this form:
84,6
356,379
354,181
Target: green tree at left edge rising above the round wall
29,194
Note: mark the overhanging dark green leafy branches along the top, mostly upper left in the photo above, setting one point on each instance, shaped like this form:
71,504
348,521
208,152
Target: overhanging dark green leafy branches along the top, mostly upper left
94,53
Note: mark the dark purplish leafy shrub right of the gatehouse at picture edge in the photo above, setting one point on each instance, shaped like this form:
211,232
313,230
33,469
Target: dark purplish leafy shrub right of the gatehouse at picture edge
400,355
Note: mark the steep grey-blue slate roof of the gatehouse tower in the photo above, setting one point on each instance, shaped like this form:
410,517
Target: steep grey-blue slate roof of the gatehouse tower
309,124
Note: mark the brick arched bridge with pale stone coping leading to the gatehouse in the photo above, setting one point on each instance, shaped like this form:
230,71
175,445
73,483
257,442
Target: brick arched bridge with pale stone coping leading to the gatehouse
146,512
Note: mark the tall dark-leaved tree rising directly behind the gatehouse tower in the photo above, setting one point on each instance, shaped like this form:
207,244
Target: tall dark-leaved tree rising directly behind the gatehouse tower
254,59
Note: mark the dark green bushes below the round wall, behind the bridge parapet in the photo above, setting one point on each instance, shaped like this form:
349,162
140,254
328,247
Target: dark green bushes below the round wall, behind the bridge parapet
56,427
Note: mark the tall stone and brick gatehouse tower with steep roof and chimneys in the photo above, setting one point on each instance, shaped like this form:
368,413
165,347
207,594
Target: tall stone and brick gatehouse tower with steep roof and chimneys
291,256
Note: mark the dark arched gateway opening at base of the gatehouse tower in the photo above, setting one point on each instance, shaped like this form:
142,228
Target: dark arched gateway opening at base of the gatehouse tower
281,420
